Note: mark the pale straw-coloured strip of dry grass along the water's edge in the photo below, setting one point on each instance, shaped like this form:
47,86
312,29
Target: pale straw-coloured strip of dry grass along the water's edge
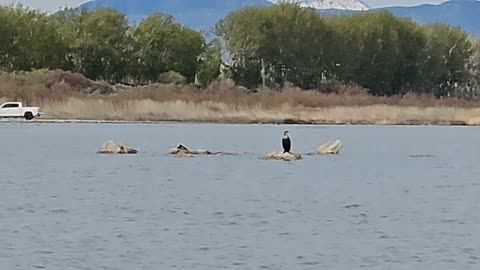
209,111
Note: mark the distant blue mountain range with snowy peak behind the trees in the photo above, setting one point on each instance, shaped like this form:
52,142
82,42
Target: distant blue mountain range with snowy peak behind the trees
204,14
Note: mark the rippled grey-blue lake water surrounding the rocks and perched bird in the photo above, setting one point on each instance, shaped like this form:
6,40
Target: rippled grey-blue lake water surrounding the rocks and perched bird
395,198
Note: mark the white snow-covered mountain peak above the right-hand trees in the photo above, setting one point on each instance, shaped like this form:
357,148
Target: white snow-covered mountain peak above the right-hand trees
328,4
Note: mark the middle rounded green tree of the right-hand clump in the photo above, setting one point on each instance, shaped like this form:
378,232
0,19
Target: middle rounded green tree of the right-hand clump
381,52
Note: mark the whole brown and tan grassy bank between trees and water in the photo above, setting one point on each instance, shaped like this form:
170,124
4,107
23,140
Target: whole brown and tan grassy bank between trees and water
70,96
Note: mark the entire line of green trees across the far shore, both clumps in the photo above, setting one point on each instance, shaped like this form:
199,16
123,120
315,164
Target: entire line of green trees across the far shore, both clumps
266,46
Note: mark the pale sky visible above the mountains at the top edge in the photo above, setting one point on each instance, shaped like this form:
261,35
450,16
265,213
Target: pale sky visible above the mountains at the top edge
51,5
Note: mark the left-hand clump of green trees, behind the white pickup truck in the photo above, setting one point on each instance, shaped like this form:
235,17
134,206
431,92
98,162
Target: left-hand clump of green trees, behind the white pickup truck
103,46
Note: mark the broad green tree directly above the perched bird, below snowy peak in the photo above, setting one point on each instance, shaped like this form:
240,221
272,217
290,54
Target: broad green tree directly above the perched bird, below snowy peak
277,44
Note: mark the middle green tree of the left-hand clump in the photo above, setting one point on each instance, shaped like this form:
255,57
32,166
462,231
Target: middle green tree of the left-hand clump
99,41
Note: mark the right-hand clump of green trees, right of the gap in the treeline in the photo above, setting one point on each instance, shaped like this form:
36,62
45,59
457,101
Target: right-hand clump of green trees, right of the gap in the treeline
386,54
